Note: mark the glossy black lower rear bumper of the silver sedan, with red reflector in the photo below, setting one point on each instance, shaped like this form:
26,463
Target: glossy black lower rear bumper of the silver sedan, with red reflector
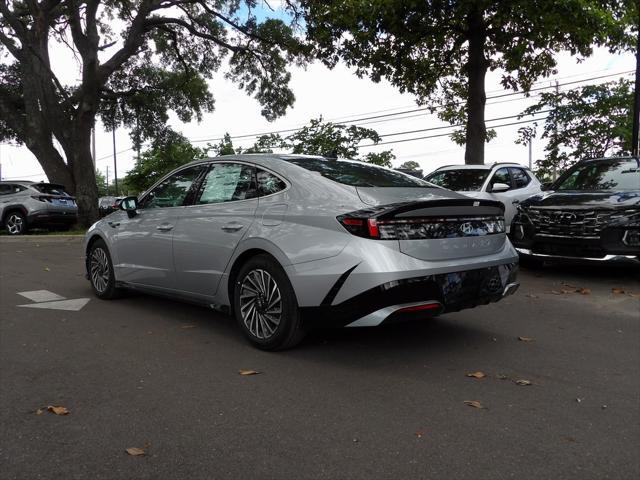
419,297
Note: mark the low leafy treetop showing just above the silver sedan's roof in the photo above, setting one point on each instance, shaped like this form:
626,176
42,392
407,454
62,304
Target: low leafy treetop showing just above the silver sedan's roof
327,139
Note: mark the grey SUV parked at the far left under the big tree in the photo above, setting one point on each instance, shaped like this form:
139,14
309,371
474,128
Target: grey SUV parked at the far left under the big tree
25,204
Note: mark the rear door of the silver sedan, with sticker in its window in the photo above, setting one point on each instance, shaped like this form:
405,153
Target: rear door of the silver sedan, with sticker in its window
212,227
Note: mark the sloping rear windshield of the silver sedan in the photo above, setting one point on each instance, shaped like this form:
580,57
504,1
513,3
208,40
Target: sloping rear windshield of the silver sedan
358,174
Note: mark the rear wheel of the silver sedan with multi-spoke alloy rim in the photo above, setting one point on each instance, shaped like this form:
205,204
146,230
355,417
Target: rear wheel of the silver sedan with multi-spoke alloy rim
265,305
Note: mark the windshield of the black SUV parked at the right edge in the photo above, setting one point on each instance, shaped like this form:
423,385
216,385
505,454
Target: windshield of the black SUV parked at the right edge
622,174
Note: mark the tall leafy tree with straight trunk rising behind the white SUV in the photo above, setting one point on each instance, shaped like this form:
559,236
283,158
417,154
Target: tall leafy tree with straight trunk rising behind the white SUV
441,51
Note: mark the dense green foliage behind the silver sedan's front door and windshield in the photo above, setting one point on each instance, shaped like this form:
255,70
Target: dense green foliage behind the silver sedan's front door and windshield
168,151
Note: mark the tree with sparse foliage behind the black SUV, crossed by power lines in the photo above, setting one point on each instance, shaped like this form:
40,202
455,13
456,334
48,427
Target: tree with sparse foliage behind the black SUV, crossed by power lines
589,122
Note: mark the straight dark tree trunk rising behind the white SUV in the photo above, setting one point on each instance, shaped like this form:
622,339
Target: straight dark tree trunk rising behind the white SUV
476,132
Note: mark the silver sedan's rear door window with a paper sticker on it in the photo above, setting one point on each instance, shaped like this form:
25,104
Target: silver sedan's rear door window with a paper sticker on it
227,182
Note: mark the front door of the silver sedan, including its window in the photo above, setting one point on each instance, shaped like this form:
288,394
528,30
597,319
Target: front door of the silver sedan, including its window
144,243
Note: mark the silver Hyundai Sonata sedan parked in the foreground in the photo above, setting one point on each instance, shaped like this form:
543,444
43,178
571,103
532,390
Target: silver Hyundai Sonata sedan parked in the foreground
287,242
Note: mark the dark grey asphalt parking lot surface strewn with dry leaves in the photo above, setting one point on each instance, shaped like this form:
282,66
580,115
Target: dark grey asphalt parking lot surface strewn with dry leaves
561,401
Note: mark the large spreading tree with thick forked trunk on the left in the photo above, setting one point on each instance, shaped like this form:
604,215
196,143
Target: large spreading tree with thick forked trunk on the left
138,60
